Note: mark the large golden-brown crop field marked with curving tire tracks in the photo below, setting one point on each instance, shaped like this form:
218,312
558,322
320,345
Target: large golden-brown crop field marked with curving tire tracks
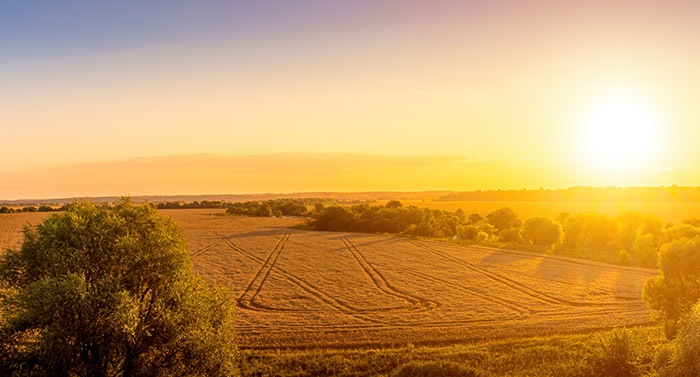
305,289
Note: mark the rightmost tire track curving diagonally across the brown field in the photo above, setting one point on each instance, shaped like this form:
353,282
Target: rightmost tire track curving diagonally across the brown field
510,283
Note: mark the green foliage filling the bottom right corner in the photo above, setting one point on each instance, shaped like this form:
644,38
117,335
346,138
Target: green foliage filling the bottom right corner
681,357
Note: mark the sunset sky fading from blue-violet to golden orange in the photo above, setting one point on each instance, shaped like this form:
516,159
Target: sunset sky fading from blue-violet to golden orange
194,97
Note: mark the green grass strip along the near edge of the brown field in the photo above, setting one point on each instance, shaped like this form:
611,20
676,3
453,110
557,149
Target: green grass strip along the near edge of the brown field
559,355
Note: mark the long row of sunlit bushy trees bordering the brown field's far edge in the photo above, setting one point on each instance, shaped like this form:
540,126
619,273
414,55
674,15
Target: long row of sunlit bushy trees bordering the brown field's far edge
630,238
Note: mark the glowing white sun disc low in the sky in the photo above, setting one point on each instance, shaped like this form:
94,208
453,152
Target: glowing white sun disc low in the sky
620,133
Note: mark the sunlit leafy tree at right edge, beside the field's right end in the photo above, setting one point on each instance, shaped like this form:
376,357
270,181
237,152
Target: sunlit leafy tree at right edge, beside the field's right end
677,287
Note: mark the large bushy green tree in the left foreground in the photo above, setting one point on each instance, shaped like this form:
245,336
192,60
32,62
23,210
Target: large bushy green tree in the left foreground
99,291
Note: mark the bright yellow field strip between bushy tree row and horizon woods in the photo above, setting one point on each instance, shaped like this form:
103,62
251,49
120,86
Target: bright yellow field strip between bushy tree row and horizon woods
674,212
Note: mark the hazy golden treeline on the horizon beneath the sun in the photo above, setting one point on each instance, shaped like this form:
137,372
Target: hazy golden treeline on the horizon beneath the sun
670,194
